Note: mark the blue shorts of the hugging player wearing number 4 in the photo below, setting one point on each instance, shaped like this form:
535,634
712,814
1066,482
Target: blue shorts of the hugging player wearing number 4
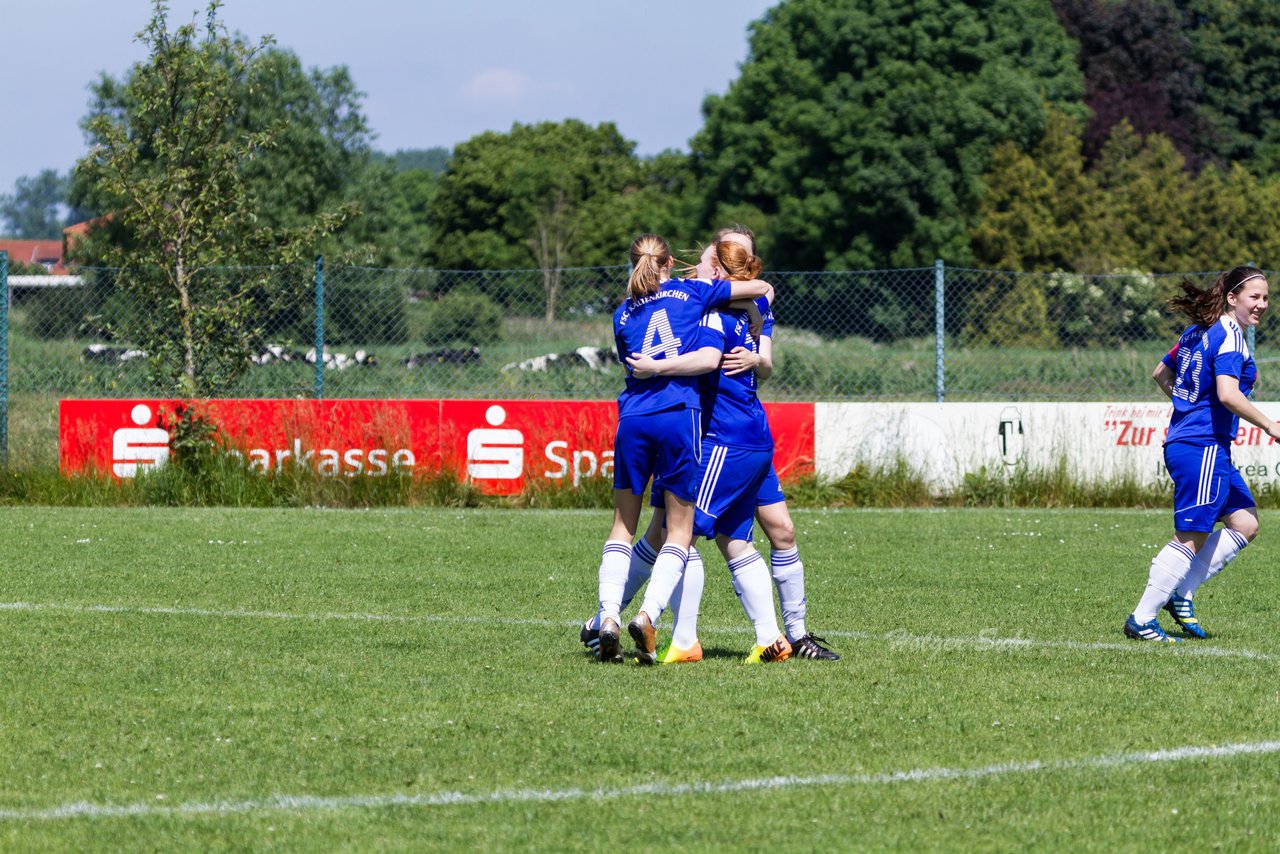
664,446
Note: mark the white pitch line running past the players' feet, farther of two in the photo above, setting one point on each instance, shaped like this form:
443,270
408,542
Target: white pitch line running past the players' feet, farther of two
986,640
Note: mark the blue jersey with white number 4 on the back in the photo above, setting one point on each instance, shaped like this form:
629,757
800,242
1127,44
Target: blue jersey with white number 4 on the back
673,322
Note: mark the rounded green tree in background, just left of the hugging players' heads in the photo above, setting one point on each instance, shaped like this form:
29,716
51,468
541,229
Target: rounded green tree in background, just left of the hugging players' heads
545,195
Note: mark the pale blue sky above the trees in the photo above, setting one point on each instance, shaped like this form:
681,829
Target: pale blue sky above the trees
435,74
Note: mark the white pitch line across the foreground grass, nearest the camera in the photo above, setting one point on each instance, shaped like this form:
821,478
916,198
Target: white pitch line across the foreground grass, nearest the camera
318,803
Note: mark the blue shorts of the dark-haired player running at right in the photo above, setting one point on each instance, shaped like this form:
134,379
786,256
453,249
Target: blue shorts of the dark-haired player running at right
1206,486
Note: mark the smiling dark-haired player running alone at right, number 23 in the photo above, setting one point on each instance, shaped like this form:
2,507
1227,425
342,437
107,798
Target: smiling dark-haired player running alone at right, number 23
1209,376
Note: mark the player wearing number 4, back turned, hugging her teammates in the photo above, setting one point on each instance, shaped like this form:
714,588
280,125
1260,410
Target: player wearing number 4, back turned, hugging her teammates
659,435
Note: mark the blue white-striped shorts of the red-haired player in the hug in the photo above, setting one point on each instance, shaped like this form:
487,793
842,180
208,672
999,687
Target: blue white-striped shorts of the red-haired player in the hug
728,497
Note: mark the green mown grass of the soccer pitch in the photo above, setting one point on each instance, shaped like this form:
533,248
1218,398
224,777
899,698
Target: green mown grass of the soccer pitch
305,681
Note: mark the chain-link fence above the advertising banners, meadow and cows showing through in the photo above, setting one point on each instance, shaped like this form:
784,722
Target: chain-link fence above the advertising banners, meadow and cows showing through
932,334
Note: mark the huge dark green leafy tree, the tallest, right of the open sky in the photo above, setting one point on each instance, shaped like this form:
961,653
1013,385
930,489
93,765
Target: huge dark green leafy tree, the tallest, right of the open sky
862,130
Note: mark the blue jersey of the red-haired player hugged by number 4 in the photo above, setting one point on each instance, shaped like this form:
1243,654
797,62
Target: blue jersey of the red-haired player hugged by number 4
733,414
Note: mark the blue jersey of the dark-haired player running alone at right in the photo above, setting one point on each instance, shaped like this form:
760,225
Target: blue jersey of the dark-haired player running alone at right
1197,360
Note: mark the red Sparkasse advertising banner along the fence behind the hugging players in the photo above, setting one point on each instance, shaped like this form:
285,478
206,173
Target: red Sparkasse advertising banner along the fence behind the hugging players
501,446
